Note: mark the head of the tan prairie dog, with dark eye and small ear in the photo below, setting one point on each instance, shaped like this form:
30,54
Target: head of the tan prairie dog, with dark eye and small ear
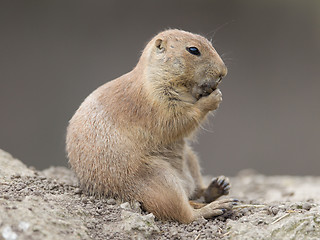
183,65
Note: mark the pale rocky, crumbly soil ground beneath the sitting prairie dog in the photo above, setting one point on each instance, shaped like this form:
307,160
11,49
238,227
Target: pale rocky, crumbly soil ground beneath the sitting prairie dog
49,205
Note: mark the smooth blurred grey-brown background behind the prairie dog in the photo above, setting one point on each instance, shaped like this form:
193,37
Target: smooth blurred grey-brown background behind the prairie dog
55,53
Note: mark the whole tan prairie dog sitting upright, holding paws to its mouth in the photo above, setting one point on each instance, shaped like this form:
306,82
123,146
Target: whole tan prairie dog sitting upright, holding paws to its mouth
129,138
